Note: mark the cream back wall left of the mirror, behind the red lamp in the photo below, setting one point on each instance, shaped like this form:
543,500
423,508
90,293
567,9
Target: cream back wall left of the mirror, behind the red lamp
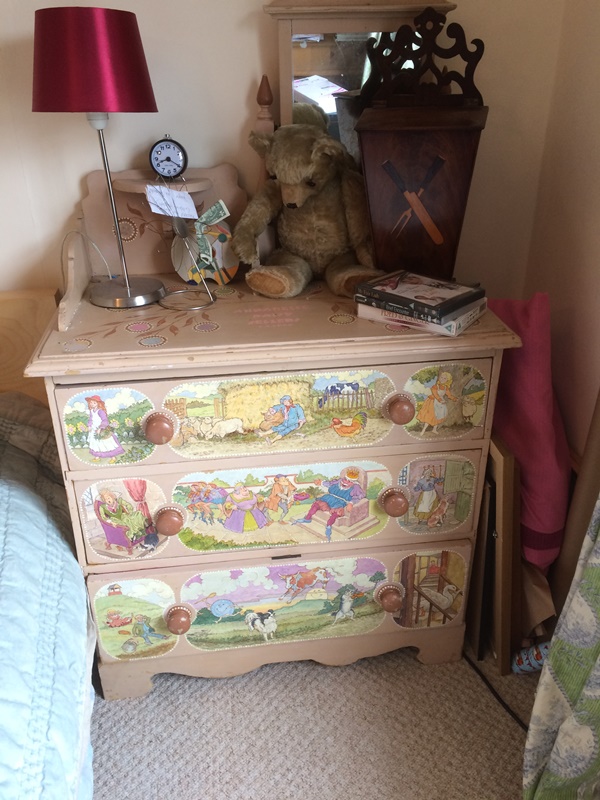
205,58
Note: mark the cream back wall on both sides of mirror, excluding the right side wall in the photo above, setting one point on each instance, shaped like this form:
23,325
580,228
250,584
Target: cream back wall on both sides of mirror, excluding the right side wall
205,61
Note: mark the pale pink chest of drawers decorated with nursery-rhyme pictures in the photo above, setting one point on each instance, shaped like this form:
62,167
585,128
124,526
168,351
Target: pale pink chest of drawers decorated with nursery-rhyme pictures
269,480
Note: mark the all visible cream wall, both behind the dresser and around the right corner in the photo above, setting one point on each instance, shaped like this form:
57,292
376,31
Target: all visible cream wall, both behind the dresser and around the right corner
531,217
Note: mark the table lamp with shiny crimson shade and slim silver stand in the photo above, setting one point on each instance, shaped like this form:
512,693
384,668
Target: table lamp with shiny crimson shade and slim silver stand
92,60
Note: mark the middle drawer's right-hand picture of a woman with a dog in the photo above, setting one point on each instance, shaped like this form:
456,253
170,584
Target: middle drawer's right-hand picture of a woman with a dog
441,490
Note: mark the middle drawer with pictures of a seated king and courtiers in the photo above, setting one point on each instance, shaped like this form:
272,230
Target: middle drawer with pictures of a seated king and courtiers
179,513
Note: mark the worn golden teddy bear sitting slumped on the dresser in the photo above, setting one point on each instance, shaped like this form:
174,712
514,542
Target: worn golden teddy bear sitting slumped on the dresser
316,197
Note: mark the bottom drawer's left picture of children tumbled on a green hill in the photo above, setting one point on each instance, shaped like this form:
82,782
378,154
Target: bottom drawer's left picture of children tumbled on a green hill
130,618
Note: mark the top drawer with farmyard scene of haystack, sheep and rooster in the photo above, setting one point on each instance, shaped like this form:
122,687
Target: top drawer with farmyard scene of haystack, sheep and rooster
107,424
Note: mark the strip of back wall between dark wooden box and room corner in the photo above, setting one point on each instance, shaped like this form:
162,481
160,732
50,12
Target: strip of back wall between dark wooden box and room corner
515,77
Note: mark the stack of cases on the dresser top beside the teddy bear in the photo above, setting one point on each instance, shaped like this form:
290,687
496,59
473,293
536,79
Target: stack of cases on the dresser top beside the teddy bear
418,301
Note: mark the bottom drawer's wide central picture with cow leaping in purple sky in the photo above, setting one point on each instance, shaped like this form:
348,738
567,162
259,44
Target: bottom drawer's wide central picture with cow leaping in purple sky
284,602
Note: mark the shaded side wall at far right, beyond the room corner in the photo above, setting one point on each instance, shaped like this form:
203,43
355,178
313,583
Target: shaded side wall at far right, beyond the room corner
564,259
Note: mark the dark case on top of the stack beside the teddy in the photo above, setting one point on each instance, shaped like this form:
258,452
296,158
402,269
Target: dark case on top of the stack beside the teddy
430,299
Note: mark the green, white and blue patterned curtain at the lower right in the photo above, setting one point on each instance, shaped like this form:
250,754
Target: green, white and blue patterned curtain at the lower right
562,751
